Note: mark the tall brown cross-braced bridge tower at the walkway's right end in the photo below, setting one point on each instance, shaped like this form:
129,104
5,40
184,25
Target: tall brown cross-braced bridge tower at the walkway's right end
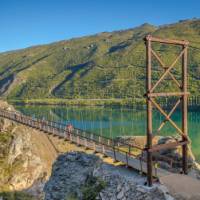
151,96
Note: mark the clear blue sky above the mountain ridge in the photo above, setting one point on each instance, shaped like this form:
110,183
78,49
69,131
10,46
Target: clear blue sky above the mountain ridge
26,23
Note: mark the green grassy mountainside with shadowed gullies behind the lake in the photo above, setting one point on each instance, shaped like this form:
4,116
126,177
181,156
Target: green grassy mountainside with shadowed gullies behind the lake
102,66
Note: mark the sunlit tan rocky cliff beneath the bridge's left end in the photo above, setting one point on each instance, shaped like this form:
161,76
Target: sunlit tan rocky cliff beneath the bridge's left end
25,158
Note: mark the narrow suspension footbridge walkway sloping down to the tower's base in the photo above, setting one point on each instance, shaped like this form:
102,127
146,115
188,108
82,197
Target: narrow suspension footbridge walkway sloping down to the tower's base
101,144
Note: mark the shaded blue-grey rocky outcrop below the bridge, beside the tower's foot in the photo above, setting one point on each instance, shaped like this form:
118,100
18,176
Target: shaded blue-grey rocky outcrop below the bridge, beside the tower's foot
80,176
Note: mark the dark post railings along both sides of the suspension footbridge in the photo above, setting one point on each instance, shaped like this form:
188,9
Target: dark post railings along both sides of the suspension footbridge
85,138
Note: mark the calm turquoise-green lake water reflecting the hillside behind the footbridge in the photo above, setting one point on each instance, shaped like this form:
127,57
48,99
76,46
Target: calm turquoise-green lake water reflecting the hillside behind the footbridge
113,122
